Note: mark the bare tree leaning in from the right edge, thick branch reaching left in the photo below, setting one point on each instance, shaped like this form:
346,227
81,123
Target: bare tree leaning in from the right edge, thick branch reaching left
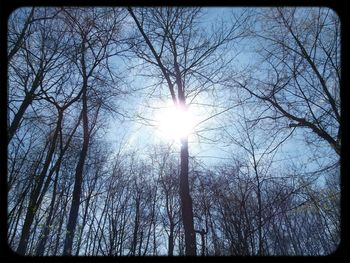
300,79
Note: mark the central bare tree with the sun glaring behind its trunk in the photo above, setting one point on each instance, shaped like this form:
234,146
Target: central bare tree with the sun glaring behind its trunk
172,42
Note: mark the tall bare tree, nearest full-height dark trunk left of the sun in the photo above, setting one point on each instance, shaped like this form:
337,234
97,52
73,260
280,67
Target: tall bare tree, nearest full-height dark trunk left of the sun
94,37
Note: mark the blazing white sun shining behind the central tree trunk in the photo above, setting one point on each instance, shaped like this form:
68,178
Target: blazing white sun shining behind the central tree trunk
175,122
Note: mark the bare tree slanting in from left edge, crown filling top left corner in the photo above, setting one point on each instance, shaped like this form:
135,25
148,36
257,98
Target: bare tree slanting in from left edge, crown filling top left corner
33,62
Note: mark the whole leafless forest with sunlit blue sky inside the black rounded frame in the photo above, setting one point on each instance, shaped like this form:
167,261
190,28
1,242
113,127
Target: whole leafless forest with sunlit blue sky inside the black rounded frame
173,131
